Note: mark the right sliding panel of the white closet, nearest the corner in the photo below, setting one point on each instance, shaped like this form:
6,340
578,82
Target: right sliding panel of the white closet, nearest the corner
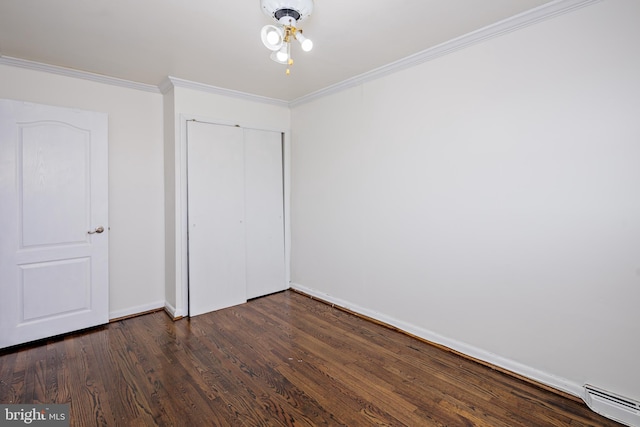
264,213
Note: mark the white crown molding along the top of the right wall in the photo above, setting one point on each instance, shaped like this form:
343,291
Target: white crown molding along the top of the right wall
524,19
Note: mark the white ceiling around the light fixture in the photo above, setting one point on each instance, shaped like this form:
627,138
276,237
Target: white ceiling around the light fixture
217,43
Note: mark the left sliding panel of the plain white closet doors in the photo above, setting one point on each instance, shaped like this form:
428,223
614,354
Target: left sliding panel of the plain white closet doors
215,173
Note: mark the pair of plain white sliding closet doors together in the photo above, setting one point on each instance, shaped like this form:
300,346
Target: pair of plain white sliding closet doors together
235,211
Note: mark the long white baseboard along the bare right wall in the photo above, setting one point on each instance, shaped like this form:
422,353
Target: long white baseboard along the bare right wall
543,379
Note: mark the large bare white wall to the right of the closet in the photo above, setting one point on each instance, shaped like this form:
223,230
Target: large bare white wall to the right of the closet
489,199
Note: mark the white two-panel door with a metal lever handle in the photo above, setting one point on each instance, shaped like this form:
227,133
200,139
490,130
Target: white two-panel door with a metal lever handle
53,206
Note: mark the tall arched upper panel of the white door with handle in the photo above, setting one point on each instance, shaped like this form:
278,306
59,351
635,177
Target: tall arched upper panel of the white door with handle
53,173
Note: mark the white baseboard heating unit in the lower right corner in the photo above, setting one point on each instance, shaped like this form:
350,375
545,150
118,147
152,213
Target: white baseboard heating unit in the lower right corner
621,409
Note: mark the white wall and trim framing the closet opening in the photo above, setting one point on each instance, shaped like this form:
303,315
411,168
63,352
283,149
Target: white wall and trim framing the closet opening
183,103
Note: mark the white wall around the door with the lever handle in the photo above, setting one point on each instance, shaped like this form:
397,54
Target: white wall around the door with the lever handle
136,238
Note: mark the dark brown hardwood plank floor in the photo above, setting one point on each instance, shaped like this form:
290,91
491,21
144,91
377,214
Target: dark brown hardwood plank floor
281,360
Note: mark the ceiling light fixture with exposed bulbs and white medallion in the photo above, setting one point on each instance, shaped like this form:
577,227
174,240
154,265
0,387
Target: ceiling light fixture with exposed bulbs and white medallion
277,38
